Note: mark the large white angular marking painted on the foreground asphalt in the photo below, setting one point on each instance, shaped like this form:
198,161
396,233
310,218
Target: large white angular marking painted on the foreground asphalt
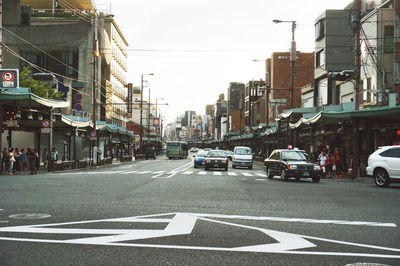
183,224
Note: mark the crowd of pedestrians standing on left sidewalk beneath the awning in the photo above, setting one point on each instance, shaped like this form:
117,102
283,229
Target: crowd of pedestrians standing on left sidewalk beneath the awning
13,161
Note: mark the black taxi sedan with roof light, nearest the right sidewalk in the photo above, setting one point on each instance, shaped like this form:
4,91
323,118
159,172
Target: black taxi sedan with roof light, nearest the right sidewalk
288,163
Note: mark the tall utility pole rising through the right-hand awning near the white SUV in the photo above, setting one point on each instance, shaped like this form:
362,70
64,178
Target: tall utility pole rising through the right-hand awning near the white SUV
357,66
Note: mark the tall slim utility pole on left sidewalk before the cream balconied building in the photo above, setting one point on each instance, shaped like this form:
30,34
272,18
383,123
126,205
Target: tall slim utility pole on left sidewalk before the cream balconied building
95,55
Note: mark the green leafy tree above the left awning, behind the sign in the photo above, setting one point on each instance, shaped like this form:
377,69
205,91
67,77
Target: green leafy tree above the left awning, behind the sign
39,88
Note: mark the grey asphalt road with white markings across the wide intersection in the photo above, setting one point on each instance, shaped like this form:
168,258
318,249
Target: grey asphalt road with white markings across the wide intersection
165,212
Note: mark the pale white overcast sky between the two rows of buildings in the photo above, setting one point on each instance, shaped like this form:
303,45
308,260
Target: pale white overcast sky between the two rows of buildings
196,48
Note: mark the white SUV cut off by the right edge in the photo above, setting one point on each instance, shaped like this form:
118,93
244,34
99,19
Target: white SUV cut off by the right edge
384,165
